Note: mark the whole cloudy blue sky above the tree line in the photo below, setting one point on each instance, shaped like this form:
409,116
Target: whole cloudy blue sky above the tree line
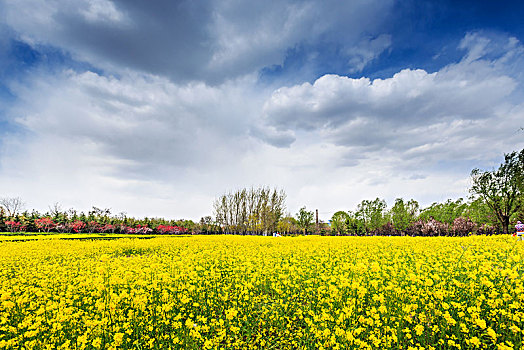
155,108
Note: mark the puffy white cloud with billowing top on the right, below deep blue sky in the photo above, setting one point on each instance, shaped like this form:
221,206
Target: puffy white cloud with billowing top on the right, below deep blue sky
462,111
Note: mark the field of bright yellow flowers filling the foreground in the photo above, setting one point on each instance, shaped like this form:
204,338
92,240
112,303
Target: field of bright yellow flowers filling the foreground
244,292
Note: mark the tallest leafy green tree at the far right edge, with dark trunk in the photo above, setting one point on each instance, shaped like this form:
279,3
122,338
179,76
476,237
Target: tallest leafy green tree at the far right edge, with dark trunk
501,189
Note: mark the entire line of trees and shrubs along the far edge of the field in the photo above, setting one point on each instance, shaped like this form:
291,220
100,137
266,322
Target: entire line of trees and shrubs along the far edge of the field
496,203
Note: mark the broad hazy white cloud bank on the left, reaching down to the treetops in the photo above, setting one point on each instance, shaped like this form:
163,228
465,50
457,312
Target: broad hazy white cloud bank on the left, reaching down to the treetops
137,143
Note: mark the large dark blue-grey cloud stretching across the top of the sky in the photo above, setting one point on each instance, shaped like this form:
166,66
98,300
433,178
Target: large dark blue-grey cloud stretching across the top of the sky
187,40
